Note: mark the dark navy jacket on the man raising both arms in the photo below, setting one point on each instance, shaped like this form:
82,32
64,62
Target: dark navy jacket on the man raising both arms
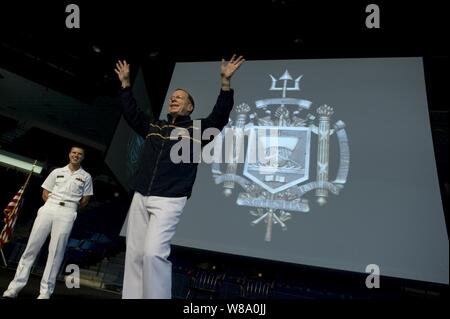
157,175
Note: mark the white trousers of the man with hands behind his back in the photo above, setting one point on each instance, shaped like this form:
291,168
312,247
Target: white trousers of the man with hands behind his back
54,220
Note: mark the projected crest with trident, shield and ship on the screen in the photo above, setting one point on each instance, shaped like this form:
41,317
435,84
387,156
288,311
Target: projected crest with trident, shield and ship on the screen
270,144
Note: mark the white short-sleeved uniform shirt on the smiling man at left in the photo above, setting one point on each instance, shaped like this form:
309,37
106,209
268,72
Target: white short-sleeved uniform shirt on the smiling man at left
68,186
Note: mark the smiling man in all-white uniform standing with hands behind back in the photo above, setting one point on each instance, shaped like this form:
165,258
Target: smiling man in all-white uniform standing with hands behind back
64,191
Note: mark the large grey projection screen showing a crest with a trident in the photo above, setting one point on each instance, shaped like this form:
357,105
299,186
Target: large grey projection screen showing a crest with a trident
357,183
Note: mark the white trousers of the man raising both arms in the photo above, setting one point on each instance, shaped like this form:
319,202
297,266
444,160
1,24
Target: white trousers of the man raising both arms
151,225
